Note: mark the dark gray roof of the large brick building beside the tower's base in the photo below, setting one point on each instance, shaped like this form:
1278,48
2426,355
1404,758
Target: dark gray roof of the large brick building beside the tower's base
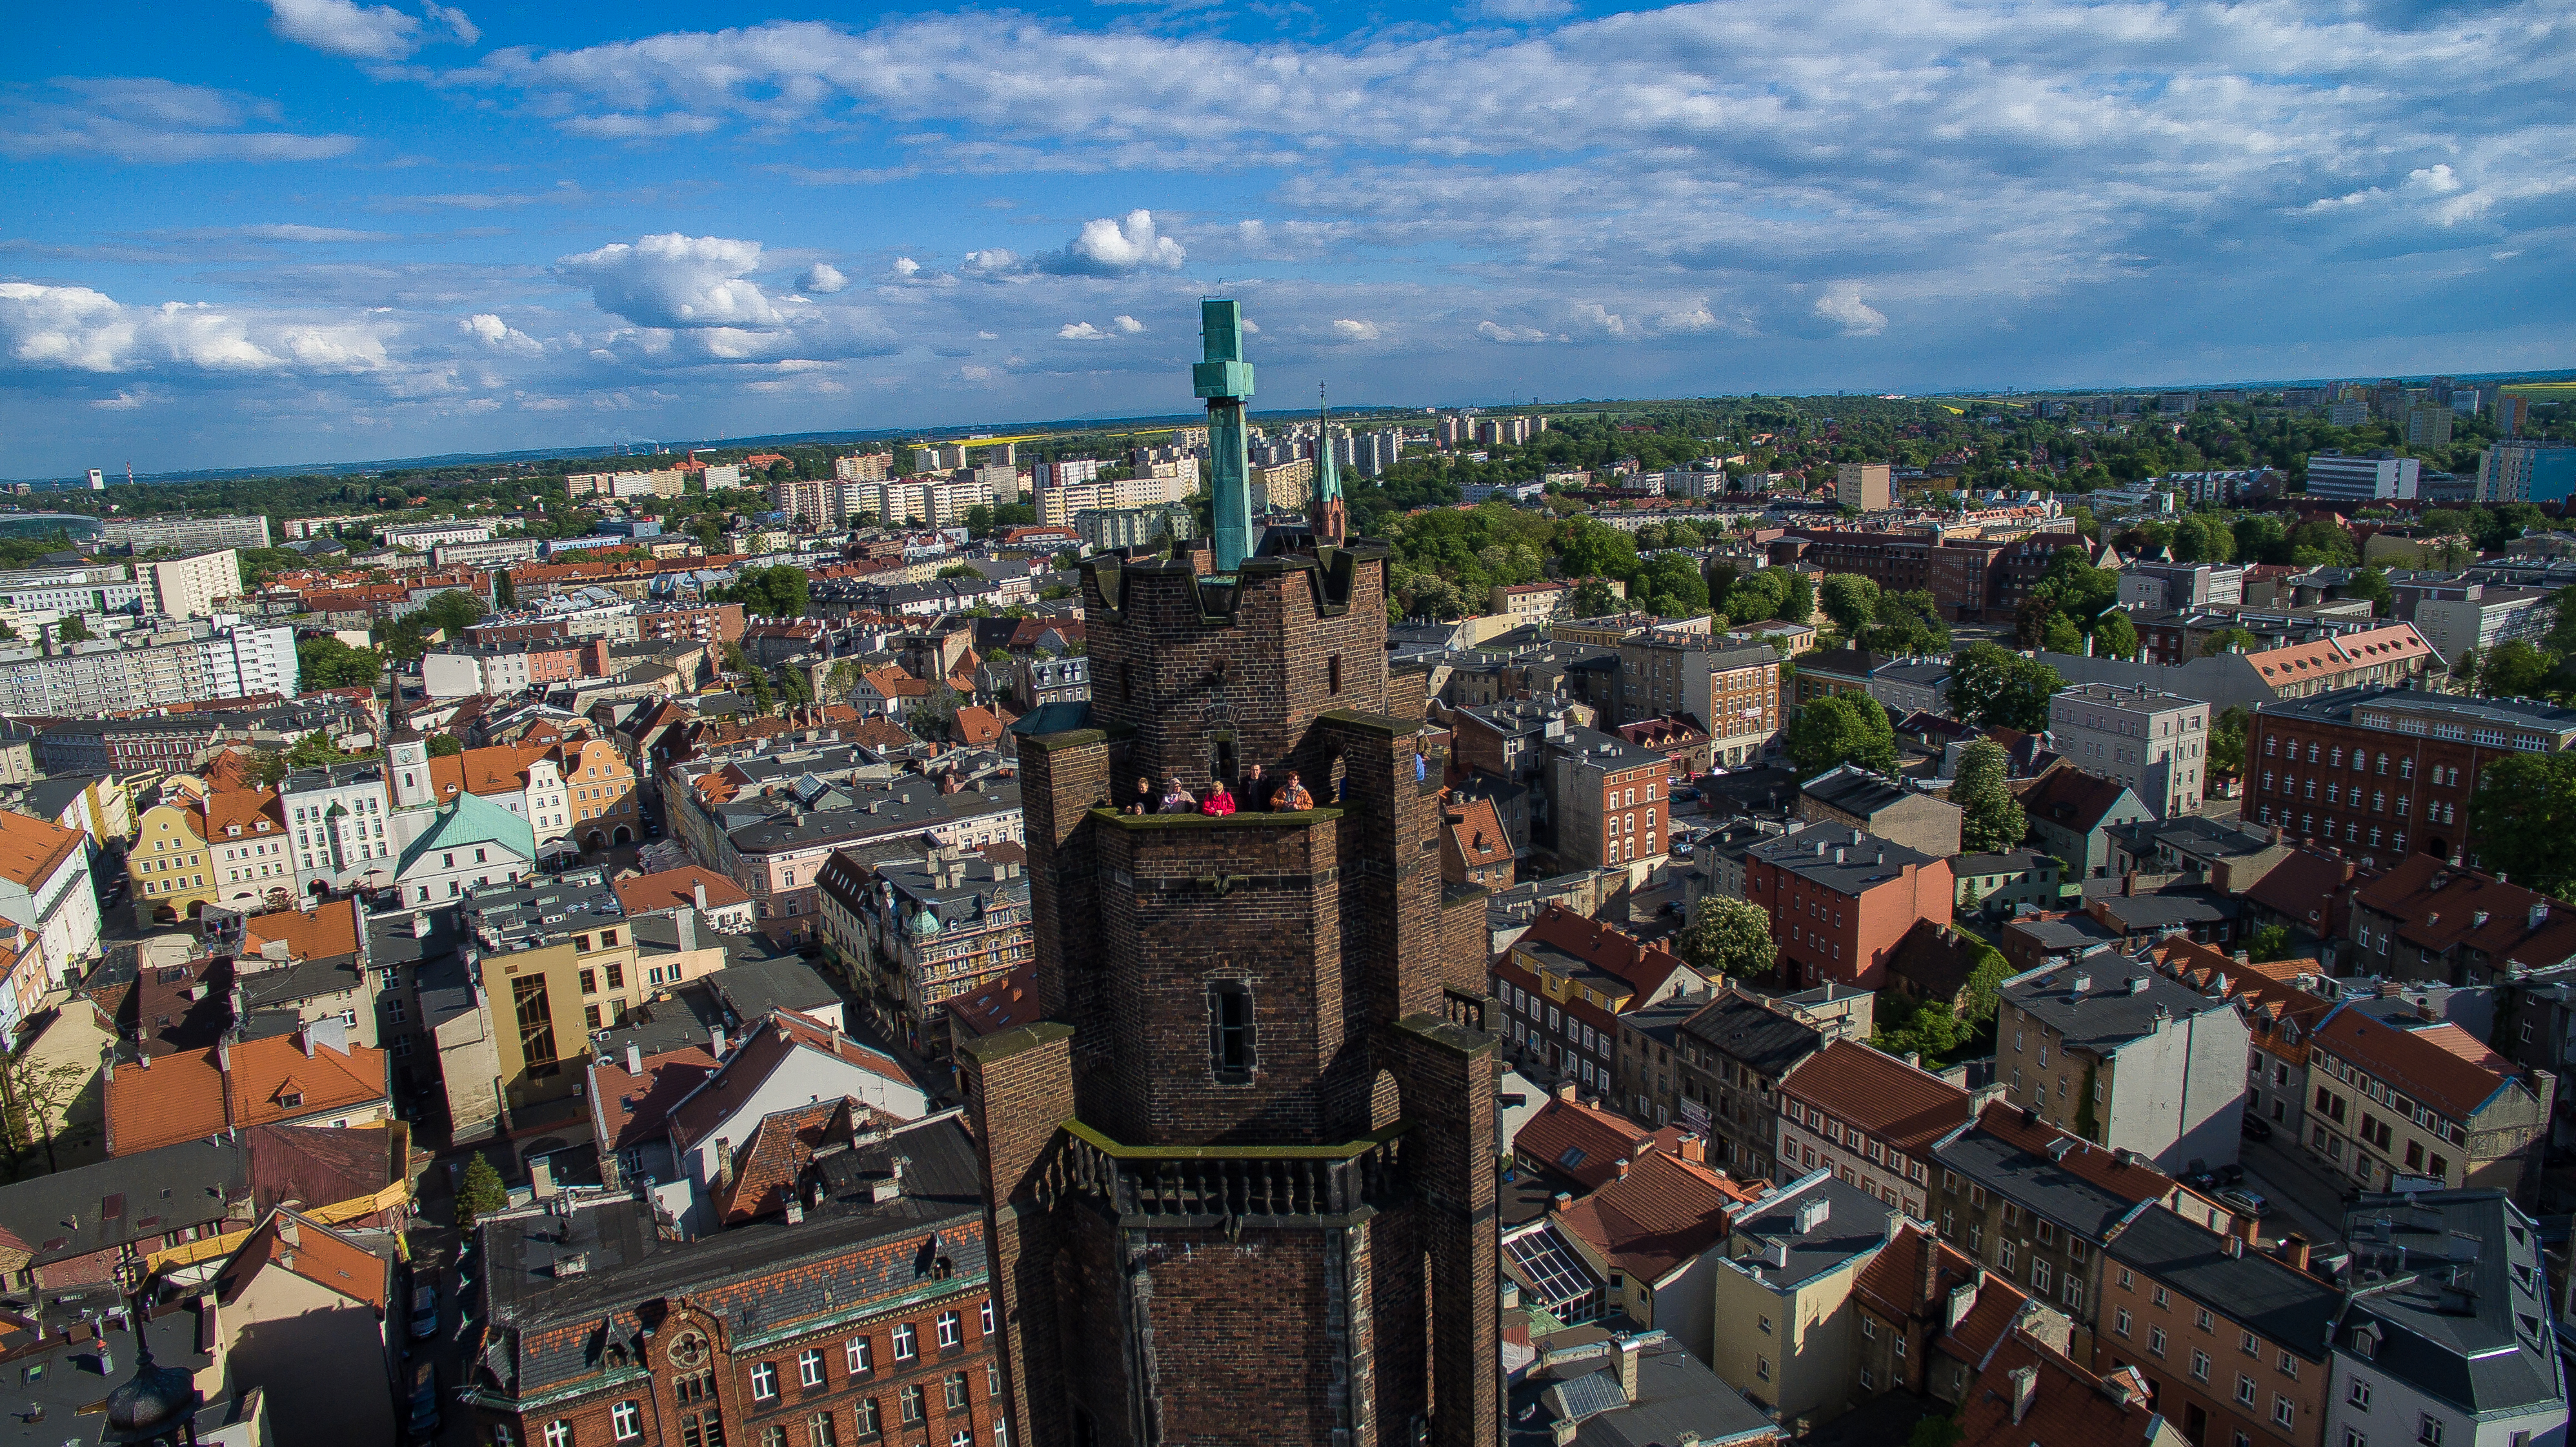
540,1325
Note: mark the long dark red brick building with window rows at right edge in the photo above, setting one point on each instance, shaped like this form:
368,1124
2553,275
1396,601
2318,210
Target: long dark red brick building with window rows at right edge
2387,771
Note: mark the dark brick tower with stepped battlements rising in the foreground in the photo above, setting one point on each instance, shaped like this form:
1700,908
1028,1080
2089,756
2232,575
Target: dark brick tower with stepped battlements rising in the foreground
1243,1173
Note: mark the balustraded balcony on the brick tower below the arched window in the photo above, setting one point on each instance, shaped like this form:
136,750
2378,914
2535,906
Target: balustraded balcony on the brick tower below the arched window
1225,1186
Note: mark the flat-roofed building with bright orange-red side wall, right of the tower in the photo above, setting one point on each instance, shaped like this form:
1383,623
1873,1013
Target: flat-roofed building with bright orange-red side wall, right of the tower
1841,902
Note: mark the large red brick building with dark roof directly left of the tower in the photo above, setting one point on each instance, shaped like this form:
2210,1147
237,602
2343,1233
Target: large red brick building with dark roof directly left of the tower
864,1312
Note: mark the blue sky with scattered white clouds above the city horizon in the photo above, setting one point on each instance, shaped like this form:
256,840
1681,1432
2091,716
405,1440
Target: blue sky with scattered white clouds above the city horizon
318,230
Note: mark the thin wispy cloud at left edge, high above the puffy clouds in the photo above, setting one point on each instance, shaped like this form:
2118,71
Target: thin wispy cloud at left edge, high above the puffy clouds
153,122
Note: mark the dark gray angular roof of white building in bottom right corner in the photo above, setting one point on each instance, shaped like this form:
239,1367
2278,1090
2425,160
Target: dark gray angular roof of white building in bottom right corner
2459,1294
